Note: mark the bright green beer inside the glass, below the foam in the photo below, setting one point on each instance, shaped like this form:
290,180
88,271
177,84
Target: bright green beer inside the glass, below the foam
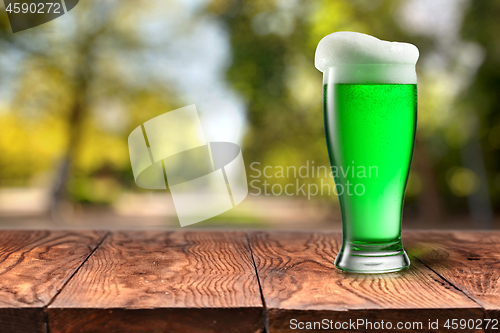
370,128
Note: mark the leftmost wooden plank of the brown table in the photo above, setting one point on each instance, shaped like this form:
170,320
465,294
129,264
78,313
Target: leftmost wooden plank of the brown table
34,266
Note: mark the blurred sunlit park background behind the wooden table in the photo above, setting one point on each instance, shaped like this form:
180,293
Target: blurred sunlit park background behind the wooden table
73,89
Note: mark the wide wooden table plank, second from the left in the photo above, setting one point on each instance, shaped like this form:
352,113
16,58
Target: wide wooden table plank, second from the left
153,281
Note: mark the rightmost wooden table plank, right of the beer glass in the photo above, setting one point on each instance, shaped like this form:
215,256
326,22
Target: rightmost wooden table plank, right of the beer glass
468,260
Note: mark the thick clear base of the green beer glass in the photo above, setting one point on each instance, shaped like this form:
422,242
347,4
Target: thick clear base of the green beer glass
372,259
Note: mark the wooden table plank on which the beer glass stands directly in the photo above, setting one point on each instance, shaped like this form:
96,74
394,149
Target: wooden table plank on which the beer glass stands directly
299,281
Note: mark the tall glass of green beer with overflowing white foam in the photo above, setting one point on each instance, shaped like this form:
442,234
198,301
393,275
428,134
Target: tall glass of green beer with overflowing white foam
370,117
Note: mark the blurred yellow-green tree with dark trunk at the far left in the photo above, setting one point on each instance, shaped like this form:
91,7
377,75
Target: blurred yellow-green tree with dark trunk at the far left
75,87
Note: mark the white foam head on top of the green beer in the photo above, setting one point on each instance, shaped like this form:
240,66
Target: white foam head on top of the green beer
351,57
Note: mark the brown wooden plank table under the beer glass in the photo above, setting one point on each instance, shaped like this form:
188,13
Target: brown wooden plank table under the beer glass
208,281
